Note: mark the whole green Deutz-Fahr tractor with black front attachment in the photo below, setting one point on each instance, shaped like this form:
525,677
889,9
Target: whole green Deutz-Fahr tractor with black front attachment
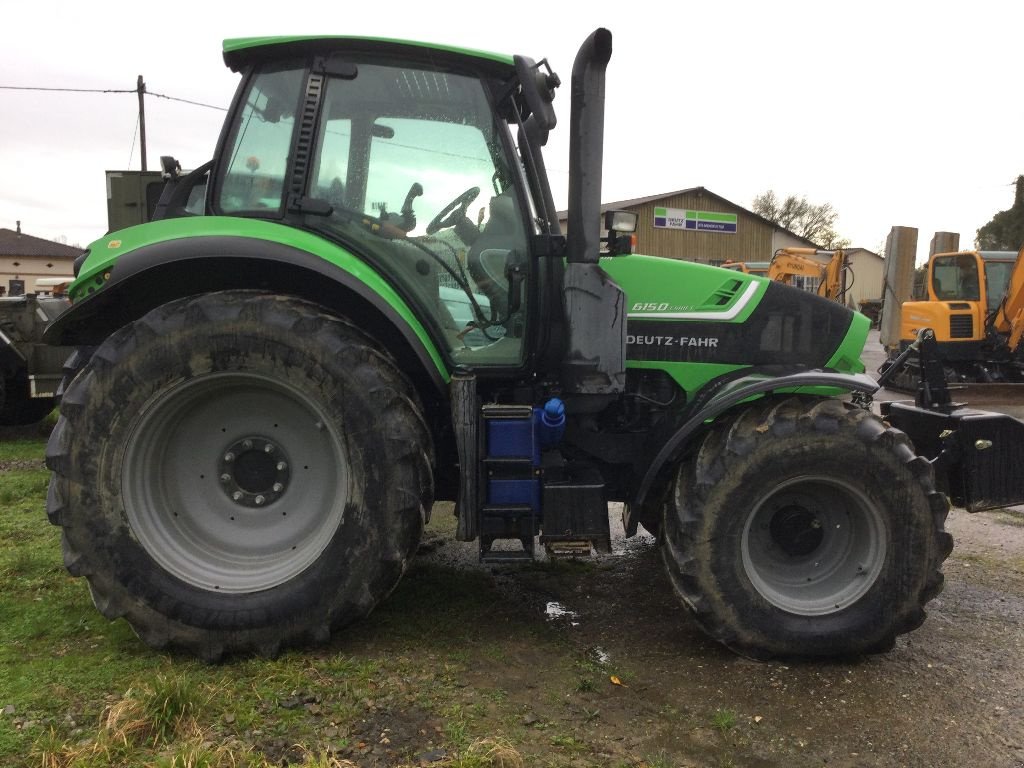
365,304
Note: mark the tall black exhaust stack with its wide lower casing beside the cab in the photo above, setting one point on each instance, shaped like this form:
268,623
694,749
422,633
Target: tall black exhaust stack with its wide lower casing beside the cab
595,307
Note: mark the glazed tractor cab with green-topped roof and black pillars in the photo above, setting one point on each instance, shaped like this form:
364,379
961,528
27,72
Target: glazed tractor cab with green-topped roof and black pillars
408,161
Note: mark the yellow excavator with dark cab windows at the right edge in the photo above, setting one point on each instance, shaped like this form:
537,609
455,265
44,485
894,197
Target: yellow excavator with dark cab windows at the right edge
974,303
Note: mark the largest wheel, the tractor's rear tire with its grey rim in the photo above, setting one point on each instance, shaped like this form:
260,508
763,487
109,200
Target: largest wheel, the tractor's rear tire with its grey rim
239,473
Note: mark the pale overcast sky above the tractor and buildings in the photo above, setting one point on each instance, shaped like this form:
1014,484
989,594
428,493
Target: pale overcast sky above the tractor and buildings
895,113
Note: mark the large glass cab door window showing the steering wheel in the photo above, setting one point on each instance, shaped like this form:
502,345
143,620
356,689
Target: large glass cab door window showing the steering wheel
414,168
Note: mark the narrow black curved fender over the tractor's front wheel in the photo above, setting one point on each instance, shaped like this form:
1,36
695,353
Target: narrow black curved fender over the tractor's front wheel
729,396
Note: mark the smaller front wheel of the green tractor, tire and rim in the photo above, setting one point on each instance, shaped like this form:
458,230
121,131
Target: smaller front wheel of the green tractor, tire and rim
806,529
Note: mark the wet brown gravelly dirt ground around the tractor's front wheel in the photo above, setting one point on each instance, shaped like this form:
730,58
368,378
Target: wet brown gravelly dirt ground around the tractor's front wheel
952,694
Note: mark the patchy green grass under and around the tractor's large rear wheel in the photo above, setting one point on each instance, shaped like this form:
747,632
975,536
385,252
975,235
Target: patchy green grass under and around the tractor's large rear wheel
77,692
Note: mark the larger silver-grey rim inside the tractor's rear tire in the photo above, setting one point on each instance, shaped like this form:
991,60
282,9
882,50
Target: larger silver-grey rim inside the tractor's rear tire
235,483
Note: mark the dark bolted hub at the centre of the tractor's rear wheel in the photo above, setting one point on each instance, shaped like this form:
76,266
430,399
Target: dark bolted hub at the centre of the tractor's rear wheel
254,472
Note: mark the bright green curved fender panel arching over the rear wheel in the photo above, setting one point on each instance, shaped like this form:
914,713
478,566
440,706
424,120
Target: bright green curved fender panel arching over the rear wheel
105,253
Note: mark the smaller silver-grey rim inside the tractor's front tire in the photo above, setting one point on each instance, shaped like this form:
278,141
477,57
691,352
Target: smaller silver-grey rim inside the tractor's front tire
815,545
